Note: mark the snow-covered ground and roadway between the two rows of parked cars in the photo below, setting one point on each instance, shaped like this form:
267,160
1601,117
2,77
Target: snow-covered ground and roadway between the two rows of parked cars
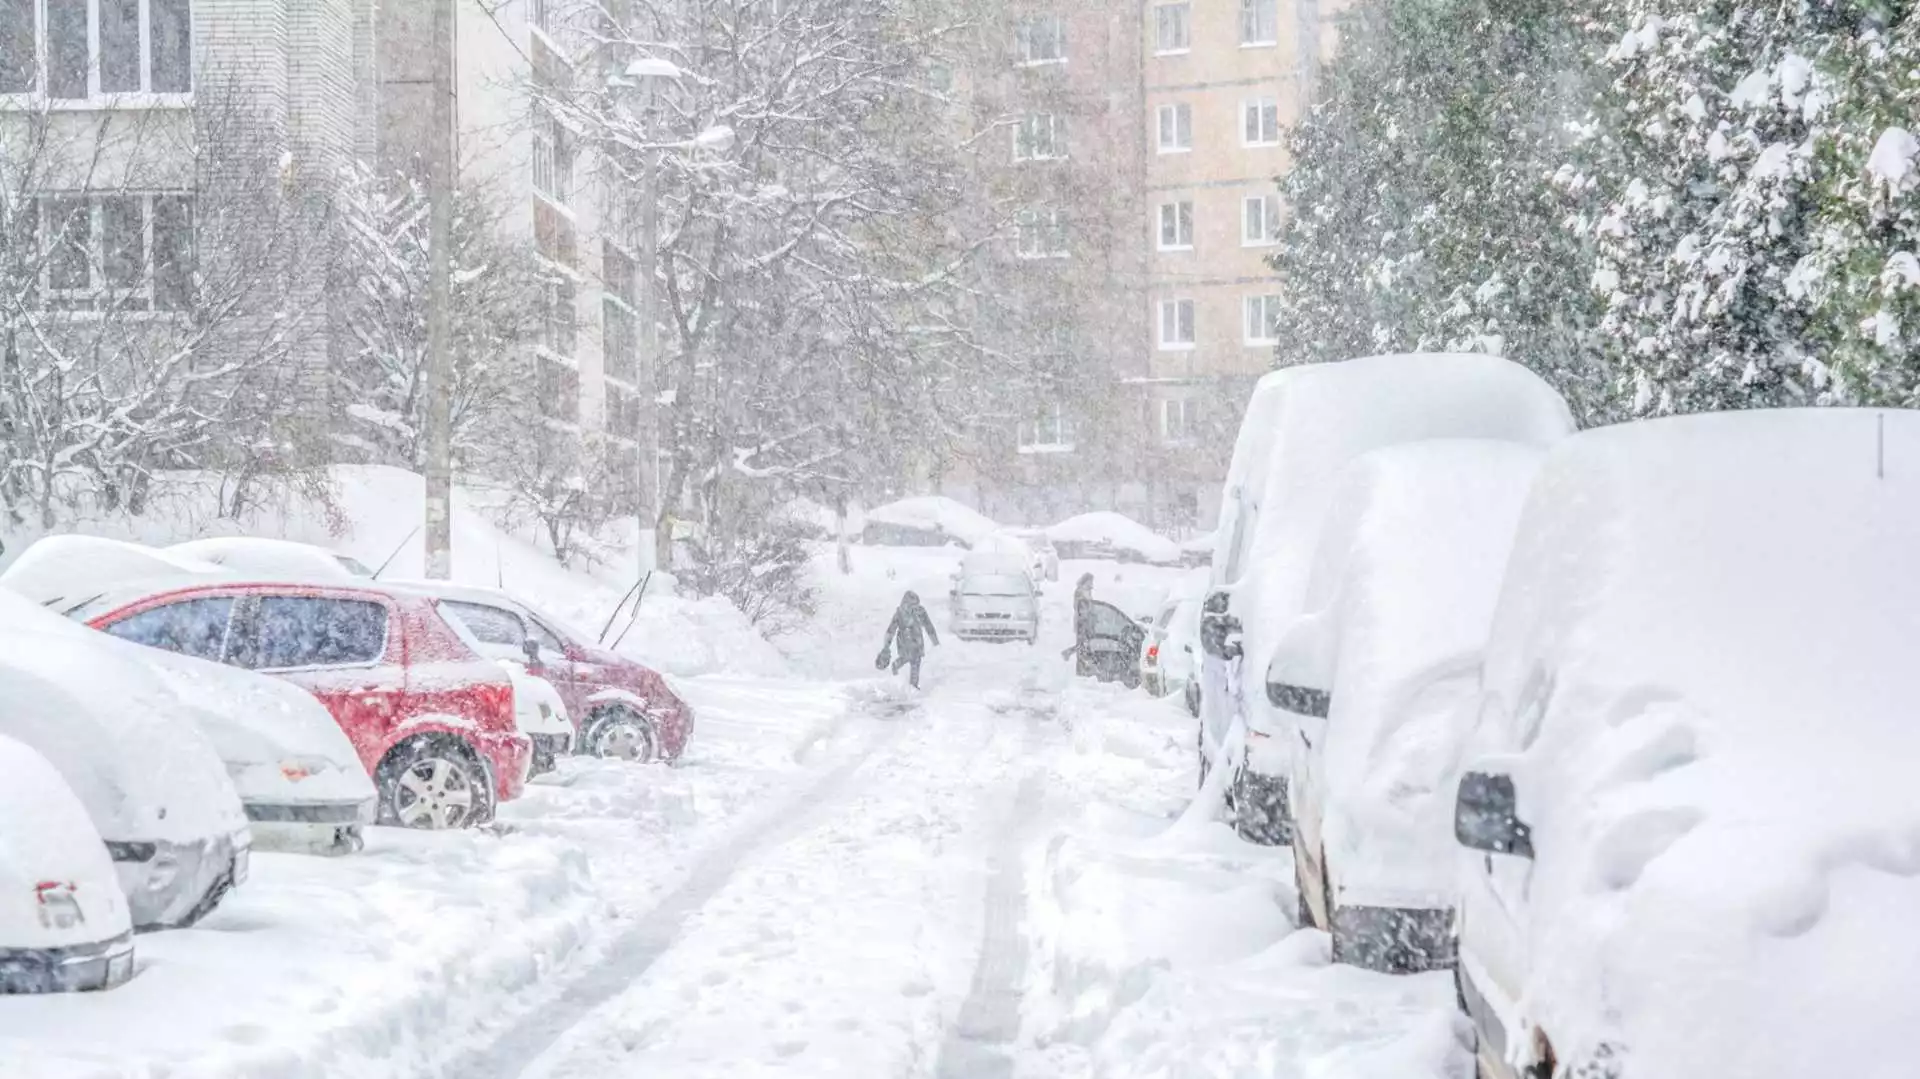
984,880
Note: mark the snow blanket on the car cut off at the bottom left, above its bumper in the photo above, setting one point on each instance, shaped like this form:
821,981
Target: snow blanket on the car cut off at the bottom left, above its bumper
47,836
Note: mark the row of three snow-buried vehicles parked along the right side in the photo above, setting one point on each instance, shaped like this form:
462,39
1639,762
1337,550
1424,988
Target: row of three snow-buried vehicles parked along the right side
1612,723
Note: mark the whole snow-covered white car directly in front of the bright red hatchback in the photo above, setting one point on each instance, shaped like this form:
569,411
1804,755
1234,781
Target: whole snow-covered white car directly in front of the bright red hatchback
299,777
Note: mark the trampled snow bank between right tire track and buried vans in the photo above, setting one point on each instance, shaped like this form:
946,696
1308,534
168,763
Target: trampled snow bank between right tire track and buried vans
1163,949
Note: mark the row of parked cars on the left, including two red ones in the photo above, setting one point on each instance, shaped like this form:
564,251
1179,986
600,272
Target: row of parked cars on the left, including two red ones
277,698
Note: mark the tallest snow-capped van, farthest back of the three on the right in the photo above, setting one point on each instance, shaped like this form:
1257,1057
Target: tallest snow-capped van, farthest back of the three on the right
1305,425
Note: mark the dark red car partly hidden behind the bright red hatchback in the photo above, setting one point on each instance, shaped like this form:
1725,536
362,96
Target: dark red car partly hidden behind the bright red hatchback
621,707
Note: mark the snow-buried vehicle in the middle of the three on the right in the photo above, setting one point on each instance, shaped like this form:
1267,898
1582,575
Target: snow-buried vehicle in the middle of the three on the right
1372,677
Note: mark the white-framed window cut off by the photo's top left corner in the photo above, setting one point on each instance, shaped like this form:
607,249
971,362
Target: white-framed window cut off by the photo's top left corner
84,49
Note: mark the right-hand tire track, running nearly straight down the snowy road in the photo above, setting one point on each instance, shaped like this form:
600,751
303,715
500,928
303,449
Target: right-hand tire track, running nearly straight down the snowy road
990,1017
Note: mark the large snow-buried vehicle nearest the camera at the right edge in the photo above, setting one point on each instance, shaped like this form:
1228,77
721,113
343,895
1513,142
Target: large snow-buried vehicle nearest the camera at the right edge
1689,807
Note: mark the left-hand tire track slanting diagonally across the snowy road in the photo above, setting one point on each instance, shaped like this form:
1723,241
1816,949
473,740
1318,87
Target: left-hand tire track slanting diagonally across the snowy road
631,955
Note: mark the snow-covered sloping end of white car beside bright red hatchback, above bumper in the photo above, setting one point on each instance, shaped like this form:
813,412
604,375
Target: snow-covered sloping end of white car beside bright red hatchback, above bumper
277,742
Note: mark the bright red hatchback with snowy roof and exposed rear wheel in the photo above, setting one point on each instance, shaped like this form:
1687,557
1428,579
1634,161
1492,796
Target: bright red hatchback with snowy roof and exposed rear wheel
431,719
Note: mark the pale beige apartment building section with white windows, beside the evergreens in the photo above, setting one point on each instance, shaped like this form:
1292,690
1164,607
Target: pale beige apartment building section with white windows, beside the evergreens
1224,80
